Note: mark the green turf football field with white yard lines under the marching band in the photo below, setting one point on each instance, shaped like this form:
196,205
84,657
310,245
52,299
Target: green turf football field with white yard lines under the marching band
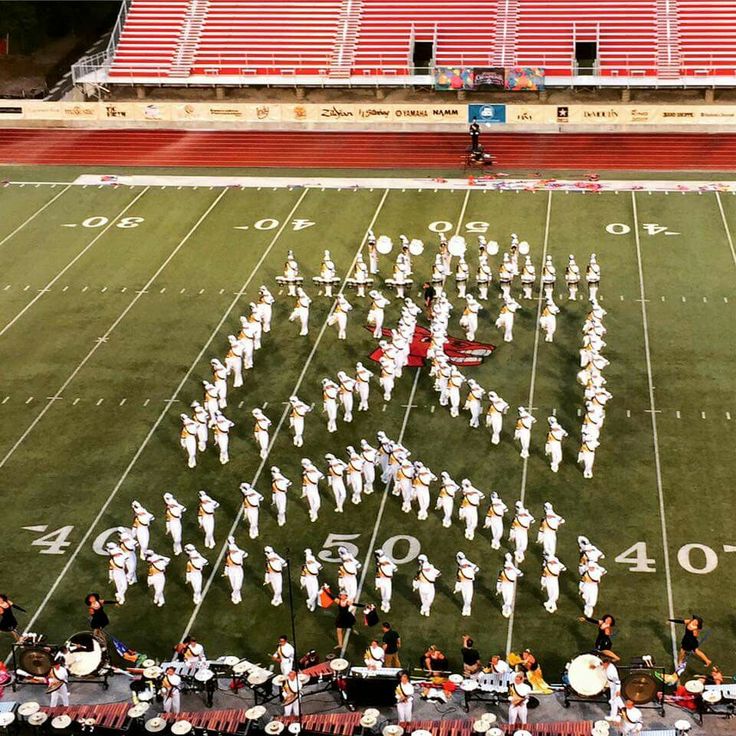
114,299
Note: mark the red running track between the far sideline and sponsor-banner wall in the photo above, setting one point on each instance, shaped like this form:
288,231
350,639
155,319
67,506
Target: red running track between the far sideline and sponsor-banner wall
363,150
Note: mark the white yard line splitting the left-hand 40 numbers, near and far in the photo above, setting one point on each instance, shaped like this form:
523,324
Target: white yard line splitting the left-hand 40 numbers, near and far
163,413
